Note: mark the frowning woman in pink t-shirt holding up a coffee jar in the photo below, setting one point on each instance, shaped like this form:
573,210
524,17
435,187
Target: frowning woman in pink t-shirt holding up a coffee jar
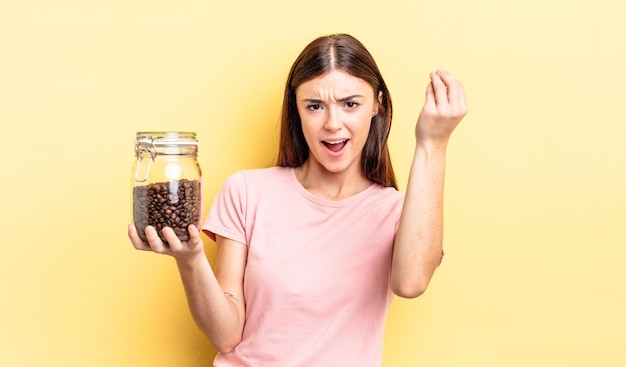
310,252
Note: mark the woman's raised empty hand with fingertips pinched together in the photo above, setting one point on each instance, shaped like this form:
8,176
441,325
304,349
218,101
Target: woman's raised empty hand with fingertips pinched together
444,108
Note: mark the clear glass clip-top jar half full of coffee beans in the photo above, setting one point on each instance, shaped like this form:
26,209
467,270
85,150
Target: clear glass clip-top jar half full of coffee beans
166,183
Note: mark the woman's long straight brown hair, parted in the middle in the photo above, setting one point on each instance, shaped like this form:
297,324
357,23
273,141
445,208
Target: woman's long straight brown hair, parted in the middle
337,52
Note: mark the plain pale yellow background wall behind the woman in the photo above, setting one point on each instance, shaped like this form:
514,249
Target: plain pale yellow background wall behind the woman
535,267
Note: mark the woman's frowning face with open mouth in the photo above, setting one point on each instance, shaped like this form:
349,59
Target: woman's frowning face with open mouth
336,110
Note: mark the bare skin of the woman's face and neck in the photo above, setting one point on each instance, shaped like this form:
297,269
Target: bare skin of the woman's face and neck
333,108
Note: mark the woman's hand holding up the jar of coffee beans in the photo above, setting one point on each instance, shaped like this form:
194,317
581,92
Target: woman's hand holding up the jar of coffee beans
181,250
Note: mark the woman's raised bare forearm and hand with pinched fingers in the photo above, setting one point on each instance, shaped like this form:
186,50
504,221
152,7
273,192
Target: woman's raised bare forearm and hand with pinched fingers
418,246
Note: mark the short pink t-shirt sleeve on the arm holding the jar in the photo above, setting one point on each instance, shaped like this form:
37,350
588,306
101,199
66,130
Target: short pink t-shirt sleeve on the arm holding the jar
227,214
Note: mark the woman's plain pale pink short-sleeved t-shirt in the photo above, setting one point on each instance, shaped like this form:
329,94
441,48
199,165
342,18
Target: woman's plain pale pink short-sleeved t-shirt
316,281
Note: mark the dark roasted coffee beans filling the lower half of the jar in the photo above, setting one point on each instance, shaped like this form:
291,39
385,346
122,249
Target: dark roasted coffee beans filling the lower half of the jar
175,204
